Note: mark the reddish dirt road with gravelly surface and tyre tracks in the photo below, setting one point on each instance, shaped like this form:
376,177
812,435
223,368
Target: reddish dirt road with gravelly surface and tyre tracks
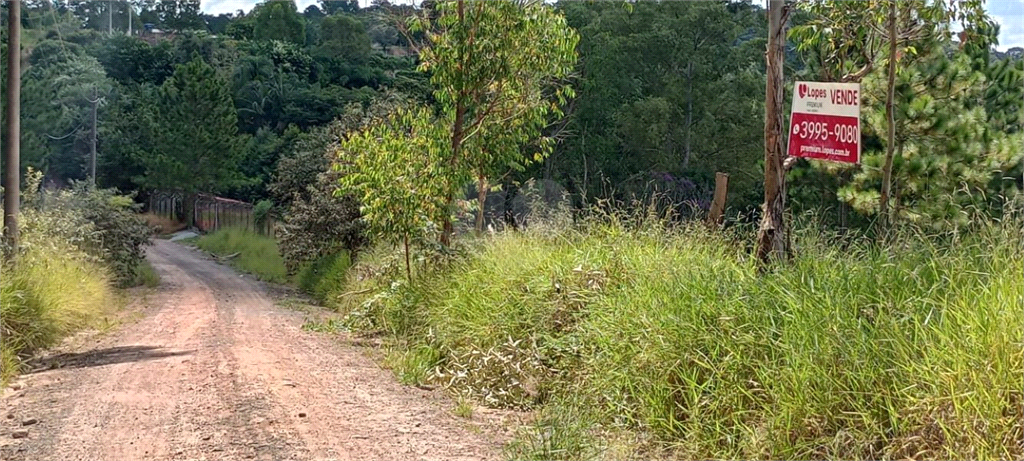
215,370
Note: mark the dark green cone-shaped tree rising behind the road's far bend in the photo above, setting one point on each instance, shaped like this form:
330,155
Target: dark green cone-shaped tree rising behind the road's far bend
197,145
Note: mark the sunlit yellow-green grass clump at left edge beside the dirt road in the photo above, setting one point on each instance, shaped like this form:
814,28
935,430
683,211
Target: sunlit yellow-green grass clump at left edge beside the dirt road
53,291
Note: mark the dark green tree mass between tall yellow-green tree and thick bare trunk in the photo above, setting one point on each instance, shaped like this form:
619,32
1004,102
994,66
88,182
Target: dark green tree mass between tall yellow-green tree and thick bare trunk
671,89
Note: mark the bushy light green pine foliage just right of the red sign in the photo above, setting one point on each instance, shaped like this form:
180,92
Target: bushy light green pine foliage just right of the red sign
948,153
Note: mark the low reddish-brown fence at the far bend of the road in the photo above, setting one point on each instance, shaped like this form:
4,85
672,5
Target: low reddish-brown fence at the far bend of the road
210,214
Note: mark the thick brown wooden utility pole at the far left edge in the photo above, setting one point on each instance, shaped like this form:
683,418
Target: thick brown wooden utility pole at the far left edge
12,175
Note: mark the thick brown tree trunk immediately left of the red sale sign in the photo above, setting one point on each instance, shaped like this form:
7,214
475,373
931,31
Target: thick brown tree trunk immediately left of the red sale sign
774,243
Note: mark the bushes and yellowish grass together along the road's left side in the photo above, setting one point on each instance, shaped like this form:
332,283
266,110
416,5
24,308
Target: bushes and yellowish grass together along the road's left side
78,246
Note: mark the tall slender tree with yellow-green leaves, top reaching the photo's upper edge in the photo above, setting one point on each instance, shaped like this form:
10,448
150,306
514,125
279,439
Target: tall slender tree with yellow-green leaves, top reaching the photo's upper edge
490,83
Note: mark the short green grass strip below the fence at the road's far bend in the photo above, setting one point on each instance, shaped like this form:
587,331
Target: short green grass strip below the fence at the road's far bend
251,253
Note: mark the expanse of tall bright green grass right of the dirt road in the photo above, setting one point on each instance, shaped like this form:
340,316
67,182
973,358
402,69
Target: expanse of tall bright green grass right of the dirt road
673,342
